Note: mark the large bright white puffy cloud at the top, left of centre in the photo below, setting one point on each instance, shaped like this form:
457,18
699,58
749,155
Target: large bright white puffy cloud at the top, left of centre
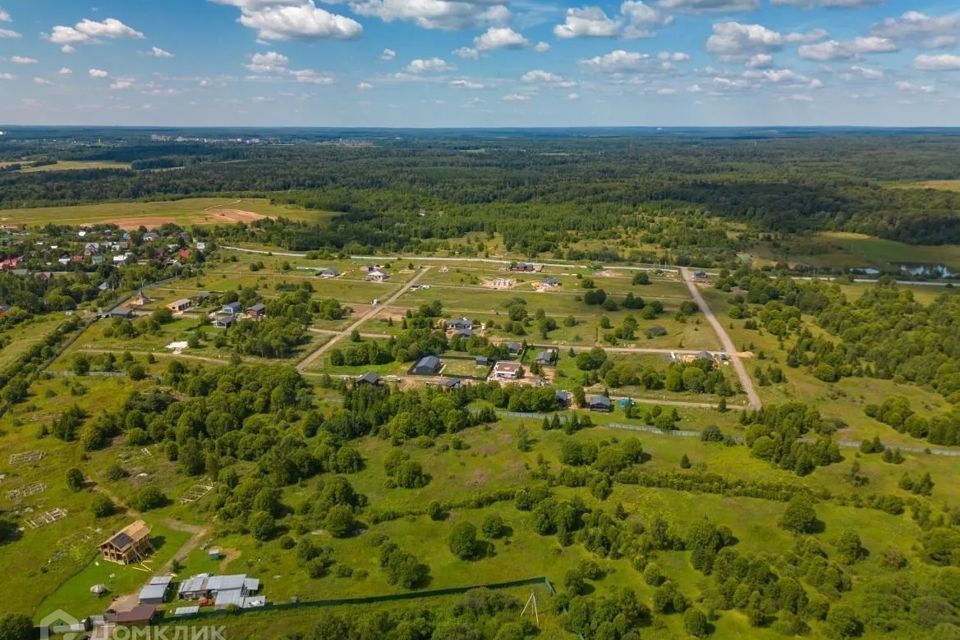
305,21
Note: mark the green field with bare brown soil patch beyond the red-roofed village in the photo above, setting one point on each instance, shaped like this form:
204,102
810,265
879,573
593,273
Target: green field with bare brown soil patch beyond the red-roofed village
187,212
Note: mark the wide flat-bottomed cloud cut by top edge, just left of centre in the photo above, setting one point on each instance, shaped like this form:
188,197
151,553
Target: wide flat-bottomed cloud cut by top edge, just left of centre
435,14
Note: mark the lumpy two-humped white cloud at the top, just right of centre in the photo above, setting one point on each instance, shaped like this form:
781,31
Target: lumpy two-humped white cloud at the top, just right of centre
636,20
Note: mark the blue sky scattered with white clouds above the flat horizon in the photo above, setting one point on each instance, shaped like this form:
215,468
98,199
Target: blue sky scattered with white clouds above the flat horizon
443,63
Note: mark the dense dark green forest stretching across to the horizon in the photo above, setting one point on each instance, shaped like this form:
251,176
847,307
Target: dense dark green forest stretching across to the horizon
531,189
